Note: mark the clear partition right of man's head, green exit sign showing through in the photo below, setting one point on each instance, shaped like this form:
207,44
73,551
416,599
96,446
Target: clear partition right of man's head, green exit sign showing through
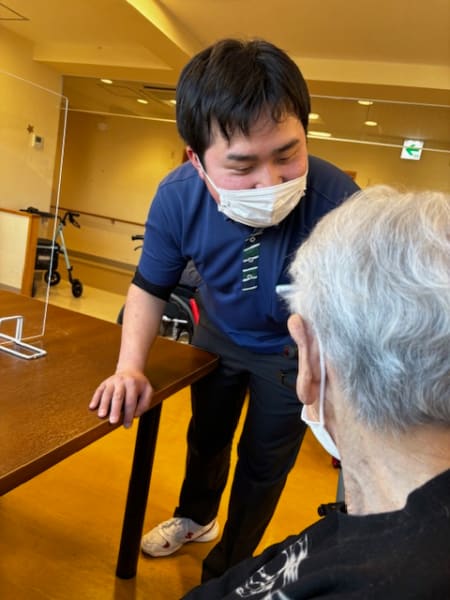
404,144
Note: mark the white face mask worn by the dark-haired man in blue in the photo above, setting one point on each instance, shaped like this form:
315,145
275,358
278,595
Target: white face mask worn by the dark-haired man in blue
260,207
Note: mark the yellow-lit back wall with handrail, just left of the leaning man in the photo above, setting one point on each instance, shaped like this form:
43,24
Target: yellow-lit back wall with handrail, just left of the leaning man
112,167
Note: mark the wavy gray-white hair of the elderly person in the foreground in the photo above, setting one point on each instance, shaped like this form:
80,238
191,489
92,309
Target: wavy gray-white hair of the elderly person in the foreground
373,282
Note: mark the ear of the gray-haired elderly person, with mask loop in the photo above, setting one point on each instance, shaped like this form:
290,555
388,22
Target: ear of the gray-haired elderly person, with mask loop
308,380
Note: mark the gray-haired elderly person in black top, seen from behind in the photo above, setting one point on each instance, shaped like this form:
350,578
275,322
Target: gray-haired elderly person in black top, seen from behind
371,318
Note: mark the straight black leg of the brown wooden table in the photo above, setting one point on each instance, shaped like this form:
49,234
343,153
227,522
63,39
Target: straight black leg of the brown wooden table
141,472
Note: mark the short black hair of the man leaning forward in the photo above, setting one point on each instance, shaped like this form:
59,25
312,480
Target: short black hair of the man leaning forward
232,83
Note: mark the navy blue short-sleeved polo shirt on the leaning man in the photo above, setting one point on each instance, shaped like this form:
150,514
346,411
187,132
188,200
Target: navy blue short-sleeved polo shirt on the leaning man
240,266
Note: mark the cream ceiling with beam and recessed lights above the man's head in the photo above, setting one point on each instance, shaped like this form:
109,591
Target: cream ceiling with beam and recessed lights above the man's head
388,50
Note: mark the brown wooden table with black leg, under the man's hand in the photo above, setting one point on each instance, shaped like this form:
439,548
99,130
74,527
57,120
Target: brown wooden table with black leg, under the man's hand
43,403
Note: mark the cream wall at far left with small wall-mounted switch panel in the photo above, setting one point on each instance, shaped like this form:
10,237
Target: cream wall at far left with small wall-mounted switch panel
26,172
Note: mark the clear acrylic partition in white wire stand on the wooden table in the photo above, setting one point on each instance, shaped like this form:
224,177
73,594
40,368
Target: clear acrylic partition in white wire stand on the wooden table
32,134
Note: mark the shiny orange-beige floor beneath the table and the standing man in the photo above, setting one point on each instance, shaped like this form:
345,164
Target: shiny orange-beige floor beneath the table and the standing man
59,533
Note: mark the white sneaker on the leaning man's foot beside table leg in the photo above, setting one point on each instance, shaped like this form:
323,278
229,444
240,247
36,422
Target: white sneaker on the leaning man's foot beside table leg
167,537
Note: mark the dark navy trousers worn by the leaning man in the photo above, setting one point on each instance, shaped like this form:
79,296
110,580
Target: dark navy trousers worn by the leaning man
269,444
